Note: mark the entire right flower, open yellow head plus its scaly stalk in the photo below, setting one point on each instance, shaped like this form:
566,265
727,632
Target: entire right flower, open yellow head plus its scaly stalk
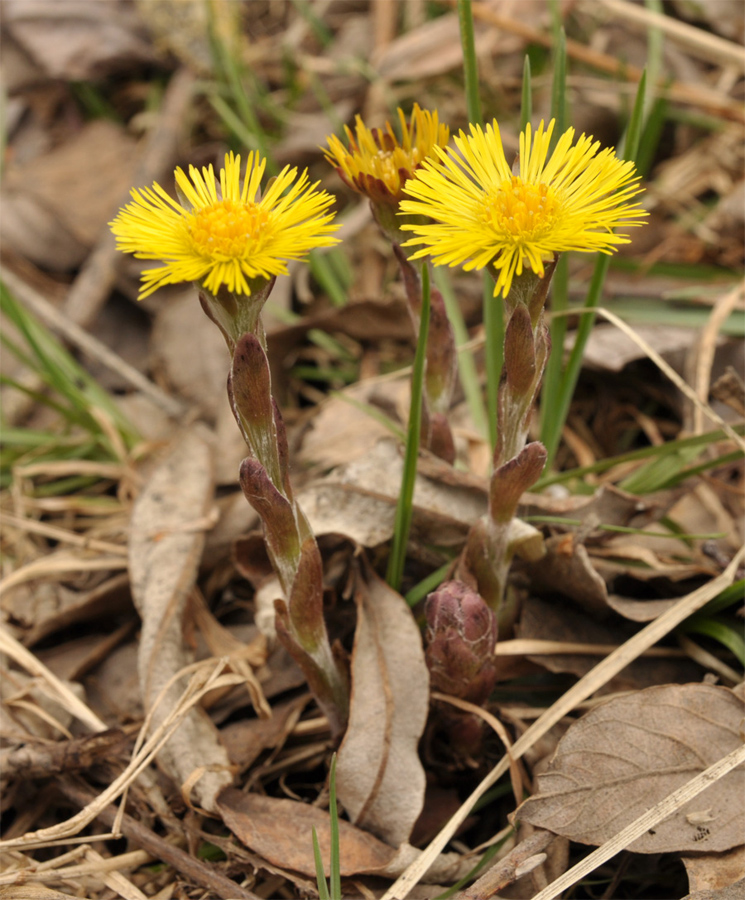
482,214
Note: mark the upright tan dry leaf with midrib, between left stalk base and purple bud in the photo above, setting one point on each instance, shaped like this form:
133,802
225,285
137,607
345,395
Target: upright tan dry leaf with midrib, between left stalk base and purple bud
379,778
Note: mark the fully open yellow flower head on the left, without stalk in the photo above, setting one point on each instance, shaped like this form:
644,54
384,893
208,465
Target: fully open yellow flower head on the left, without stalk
226,235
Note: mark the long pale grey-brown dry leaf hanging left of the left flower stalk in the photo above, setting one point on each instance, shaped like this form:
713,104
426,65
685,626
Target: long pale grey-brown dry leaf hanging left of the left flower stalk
165,545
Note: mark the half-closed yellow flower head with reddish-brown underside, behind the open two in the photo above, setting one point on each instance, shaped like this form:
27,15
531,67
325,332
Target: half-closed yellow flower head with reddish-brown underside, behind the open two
377,164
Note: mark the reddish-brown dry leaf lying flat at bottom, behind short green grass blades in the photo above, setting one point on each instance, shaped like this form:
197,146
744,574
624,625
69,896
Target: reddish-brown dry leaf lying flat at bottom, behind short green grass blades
281,831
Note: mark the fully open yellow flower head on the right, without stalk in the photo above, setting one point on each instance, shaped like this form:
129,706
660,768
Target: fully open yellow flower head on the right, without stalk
486,216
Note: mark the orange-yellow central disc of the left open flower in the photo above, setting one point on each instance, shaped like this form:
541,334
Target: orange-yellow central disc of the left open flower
226,228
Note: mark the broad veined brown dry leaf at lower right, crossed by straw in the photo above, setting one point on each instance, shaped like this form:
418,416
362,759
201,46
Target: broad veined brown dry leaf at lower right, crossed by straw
625,756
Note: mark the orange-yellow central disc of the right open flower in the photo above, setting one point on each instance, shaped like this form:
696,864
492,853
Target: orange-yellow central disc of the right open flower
523,210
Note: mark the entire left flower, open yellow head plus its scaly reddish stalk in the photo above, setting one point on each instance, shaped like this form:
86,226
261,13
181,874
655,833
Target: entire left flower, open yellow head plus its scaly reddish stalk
232,243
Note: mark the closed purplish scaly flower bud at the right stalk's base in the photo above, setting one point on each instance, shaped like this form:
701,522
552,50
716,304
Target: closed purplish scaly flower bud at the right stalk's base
461,636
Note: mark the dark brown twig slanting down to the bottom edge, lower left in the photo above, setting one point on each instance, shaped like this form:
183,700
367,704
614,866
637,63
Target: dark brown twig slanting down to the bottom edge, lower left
216,884
